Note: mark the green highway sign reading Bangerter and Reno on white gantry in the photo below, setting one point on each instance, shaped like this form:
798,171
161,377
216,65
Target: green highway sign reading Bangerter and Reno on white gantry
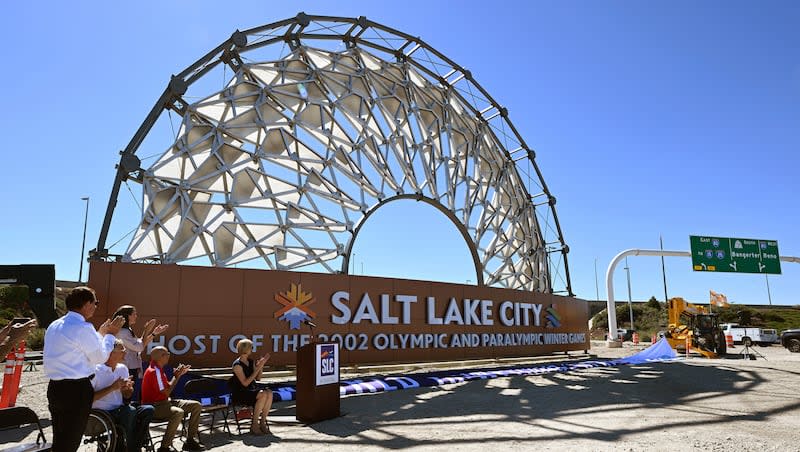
735,255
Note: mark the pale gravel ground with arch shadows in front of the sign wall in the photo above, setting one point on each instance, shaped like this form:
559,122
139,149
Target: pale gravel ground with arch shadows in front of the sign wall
691,404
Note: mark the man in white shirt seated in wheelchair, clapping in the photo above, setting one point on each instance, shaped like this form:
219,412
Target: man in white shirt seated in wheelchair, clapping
111,384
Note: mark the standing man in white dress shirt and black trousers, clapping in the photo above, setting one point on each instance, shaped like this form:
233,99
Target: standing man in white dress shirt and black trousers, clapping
72,349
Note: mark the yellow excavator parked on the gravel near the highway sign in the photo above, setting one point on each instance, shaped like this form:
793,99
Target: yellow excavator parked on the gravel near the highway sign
697,326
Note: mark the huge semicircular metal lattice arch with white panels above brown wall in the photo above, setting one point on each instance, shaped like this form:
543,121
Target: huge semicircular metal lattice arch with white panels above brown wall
286,162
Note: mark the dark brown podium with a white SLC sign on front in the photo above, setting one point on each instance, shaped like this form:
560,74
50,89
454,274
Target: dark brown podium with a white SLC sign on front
317,382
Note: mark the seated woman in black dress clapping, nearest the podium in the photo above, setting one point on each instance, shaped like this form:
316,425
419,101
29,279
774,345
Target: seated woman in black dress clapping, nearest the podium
245,374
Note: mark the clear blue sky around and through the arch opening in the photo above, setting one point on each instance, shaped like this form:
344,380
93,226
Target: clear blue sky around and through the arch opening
648,118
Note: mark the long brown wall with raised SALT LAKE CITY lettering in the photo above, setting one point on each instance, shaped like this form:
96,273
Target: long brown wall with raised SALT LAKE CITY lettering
375,320
